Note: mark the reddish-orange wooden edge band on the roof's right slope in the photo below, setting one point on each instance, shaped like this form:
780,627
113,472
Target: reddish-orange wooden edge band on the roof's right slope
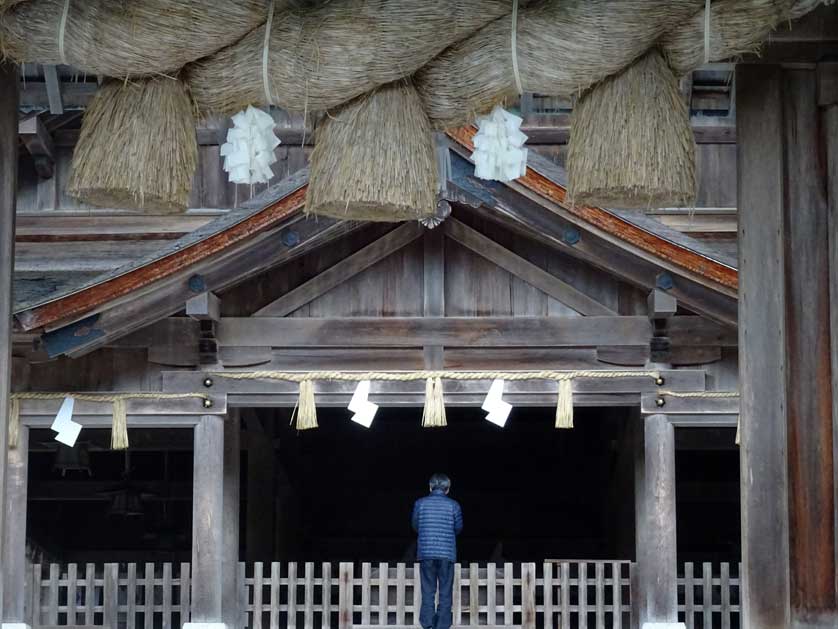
612,224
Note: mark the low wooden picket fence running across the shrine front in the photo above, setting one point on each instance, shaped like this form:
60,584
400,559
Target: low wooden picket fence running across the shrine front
552,595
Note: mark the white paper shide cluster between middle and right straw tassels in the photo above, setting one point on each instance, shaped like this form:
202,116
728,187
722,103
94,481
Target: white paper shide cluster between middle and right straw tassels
499,153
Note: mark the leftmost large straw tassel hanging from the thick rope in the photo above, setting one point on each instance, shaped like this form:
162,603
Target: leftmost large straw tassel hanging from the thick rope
137,148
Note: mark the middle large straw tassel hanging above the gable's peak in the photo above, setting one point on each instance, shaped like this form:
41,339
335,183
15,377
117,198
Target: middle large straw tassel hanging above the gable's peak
374,159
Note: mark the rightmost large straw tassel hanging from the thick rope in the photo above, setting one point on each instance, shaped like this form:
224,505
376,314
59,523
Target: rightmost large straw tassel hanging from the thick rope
631,143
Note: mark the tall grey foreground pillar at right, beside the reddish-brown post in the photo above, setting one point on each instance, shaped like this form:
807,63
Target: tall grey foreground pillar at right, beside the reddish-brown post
762,346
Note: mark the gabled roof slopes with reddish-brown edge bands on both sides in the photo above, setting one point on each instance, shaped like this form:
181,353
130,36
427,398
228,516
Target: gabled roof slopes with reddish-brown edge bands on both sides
273,227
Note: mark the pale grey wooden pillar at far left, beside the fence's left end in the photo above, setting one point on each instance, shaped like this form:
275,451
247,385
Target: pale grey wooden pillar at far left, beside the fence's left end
14,536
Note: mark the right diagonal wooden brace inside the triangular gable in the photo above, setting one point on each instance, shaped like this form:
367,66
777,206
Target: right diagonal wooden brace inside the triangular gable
524,269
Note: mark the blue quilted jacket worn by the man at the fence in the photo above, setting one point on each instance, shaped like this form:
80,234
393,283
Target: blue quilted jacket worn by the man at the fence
438,520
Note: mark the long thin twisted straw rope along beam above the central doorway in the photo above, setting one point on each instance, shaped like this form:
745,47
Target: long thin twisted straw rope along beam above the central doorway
408,376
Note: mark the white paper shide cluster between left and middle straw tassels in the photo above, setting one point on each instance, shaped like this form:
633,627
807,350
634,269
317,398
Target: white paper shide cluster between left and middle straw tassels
249,151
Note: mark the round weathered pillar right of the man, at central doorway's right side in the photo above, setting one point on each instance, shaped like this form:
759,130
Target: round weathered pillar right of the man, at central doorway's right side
656,534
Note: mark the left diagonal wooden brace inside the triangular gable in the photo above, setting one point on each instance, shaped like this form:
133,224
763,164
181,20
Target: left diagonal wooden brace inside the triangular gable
342,271
